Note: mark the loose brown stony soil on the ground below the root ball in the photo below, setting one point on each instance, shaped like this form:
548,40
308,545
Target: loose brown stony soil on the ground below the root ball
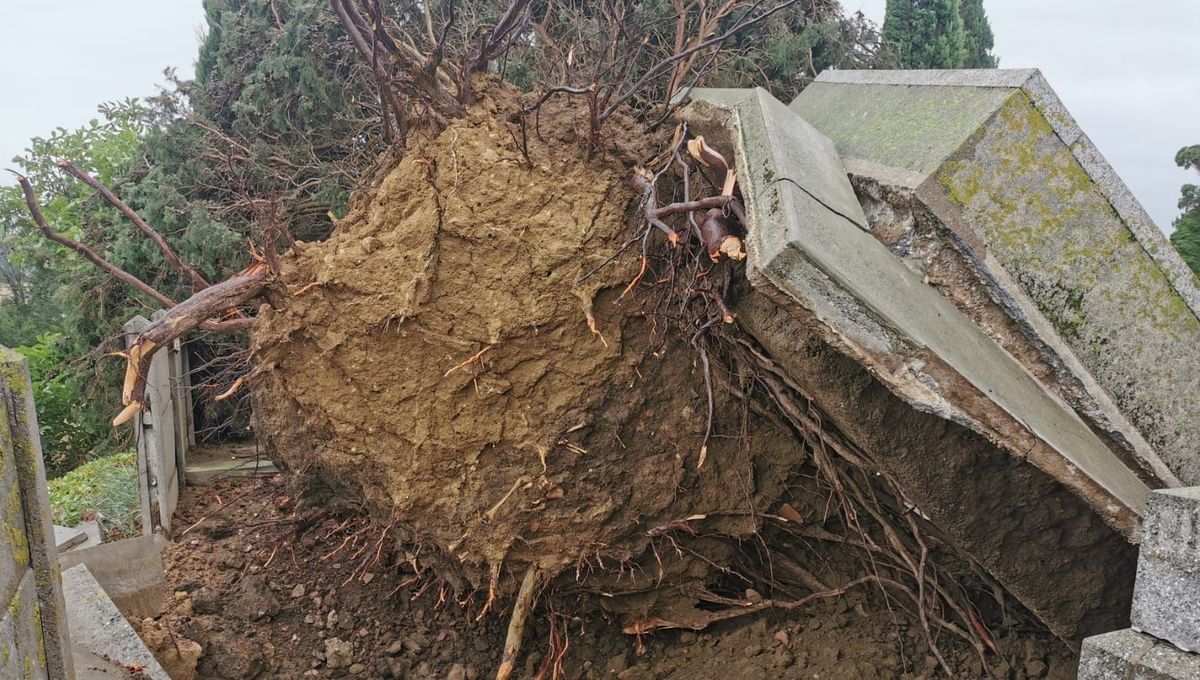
274,585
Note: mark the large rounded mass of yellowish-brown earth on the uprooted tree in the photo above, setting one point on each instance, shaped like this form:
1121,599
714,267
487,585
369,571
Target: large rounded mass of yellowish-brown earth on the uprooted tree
455,357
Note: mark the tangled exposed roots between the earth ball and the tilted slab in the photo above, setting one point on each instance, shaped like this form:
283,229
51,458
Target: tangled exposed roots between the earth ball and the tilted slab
692,279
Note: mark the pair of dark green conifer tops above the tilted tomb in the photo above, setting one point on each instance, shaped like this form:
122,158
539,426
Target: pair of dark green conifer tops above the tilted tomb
939,34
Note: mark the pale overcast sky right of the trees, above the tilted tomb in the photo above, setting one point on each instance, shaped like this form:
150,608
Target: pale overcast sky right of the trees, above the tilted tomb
1129,71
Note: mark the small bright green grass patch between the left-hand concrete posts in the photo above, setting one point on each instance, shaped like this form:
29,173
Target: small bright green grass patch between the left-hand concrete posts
107,486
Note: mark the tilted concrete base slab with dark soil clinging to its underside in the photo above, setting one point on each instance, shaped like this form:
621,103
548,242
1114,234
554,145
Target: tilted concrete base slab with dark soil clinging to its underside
845,317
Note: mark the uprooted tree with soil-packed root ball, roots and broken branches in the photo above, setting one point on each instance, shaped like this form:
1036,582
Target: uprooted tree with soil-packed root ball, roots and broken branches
518,351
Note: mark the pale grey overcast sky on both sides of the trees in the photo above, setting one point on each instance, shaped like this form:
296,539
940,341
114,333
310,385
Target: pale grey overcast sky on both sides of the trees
1129,71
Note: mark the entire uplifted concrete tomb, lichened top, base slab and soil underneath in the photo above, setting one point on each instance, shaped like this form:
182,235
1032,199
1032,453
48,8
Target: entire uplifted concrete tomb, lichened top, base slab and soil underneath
949,268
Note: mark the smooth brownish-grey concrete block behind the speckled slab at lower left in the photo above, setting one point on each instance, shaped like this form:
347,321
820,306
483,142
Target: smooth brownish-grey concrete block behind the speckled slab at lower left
130,571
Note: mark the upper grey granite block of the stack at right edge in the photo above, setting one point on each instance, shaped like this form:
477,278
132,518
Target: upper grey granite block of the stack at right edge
1167,598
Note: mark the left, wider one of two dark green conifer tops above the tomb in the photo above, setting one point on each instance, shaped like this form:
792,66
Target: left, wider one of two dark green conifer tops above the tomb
927,34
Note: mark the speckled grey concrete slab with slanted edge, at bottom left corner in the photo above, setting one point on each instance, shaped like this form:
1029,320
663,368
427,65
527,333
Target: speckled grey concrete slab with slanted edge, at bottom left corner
99,628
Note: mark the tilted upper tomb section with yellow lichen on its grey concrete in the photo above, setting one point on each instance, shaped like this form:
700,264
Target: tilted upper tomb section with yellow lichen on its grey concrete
1023,225
